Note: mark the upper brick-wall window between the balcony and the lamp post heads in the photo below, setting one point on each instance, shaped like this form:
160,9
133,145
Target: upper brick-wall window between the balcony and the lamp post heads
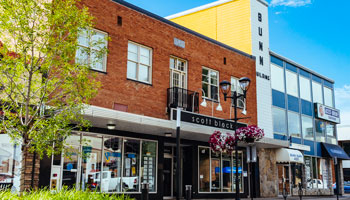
210,83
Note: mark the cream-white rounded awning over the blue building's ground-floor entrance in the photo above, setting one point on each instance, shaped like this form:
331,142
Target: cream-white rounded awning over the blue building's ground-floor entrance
284,155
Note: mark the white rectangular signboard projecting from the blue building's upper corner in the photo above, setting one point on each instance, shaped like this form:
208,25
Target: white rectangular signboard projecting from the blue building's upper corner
327,113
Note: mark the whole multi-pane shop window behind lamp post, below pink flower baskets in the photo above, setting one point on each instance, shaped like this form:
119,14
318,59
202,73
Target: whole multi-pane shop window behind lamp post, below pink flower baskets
217,171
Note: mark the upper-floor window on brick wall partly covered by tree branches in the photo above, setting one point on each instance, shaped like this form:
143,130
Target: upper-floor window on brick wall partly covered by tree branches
91,45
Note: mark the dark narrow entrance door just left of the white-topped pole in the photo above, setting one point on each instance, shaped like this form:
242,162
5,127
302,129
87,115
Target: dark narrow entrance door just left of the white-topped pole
168,176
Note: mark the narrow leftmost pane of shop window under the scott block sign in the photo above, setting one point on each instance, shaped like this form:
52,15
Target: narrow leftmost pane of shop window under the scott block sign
204,169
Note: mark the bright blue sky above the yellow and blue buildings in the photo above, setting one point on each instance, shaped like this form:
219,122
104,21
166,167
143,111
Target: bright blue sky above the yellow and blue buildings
313,33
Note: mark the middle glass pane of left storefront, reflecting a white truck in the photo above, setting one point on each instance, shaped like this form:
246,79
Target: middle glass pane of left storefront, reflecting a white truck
112,164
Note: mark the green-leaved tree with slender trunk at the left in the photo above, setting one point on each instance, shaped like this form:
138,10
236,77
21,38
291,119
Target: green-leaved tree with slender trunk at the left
42,89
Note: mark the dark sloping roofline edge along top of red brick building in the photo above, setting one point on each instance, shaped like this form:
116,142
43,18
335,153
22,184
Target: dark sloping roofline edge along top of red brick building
159,18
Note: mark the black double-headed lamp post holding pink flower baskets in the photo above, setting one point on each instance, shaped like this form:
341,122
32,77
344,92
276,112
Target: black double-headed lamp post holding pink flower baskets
225,88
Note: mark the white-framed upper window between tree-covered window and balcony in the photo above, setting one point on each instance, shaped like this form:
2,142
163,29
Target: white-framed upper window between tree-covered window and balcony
139,63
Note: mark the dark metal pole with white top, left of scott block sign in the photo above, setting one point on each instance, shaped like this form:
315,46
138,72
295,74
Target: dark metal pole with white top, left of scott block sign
178,166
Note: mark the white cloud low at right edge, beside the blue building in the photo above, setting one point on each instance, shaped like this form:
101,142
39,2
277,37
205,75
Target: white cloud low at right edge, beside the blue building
342,99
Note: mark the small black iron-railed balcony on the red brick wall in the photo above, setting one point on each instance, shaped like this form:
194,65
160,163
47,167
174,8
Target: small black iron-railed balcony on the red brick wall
185,99
